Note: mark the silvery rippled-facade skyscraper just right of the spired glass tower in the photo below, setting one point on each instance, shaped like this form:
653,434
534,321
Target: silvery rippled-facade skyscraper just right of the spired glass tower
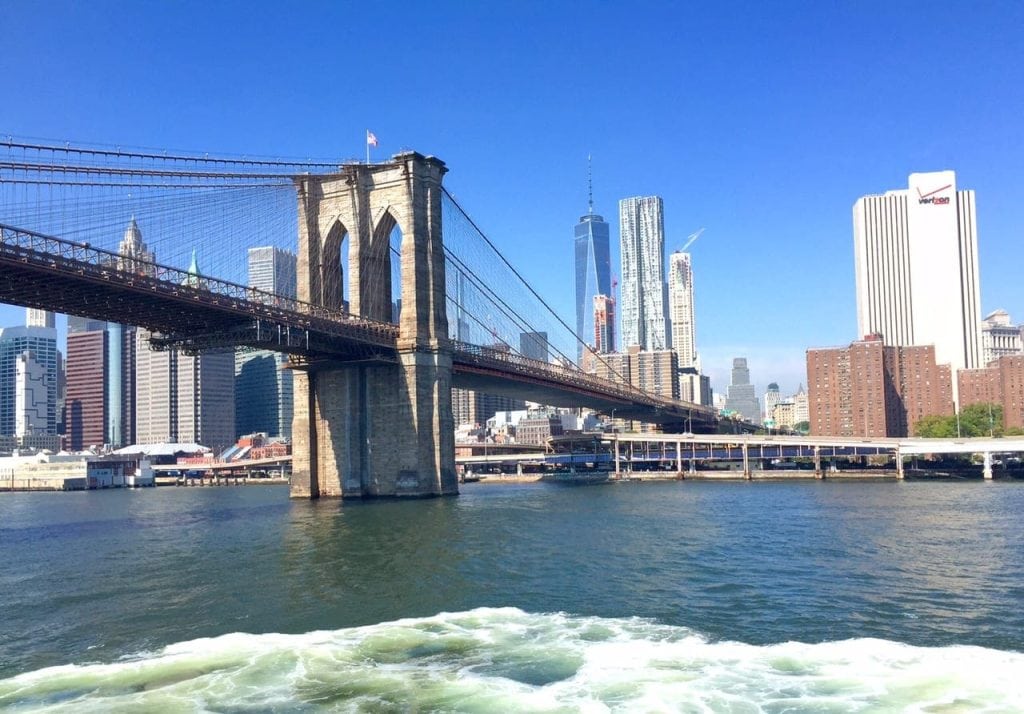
642,303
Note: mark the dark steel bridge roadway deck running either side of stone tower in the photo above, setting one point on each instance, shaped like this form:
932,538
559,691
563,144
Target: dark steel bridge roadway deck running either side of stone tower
195,313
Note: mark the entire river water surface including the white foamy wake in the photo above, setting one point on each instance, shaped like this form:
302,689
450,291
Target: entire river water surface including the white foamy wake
676,597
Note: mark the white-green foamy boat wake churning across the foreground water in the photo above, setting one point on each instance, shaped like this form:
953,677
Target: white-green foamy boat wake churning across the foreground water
504,660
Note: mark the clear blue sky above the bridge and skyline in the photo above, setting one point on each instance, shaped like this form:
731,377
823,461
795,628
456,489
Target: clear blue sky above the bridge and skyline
762,122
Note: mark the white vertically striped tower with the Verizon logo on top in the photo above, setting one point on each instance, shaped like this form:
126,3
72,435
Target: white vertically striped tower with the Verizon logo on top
917,269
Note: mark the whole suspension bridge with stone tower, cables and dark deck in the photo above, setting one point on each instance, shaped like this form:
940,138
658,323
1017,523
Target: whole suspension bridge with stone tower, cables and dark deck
401,297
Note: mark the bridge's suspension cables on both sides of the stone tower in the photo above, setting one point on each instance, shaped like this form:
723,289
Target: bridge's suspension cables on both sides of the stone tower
221,206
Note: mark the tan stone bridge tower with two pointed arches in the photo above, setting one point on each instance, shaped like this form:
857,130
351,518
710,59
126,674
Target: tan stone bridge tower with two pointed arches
376,430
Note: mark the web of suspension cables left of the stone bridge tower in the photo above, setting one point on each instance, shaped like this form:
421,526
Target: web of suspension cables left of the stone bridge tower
218,206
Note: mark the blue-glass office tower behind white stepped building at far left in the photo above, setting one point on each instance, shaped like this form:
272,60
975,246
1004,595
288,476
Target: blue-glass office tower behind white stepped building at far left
41,343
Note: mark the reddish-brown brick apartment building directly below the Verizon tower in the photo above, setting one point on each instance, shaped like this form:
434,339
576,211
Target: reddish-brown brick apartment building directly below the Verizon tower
873,390
